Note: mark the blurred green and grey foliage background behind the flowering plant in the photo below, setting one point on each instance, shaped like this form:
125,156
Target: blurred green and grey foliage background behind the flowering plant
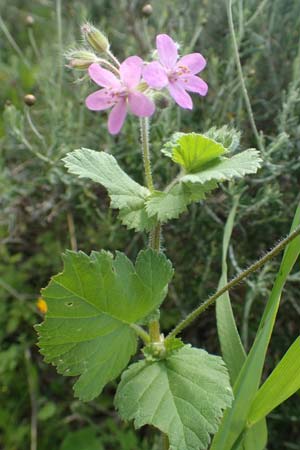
44,210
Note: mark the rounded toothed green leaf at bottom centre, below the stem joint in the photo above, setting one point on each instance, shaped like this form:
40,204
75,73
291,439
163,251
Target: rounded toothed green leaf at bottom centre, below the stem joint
183,396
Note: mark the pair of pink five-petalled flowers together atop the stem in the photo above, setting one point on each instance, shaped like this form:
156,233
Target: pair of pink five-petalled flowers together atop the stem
132,84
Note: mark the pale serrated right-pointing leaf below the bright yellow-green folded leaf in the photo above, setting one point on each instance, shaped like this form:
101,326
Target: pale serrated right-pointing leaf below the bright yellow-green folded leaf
224,169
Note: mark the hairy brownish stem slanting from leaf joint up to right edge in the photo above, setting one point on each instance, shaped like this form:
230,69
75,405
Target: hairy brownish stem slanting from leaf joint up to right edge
194,314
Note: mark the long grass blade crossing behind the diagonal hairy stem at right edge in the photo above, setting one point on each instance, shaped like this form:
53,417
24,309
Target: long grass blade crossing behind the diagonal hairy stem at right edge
246,386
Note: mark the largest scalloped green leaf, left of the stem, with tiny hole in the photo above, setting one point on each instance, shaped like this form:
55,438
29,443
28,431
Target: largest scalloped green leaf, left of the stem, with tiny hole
91,305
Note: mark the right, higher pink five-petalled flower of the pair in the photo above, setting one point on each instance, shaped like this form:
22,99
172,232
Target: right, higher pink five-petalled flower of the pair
177,75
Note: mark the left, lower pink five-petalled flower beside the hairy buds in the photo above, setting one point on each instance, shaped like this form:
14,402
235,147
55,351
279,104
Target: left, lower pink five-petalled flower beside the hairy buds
119,93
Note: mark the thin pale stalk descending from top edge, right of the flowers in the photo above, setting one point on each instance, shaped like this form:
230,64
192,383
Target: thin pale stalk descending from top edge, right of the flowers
241,77
